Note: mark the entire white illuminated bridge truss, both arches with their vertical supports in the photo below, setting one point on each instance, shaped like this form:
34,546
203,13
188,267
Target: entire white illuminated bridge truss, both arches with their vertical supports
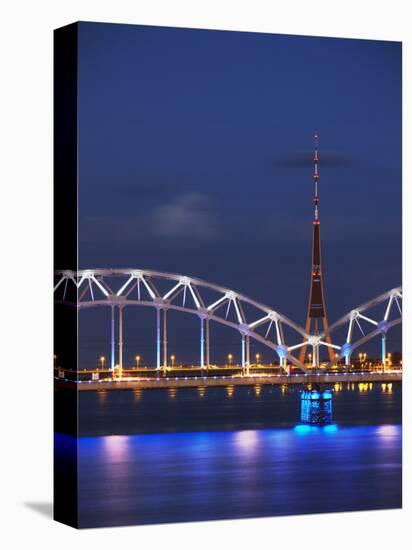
119,288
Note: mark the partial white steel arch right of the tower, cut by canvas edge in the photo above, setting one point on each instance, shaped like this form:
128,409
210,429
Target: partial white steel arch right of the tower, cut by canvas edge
361,325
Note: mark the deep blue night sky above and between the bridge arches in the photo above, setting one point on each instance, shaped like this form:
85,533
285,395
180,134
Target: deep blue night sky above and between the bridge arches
195,157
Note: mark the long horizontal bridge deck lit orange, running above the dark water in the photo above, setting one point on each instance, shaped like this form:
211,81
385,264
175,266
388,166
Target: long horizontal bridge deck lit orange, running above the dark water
194,382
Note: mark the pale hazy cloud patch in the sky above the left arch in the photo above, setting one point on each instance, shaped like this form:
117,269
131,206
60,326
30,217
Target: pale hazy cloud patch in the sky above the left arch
187,216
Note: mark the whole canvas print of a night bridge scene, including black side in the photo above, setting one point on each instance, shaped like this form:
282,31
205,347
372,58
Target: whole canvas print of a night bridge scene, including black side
227,292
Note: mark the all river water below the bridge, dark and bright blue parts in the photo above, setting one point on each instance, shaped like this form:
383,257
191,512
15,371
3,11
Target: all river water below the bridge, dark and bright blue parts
157,456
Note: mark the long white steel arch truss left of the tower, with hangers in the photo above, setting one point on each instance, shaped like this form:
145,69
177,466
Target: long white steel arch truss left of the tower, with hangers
134,287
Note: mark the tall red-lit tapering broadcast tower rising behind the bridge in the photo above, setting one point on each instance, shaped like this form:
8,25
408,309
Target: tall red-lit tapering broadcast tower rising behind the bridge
316,312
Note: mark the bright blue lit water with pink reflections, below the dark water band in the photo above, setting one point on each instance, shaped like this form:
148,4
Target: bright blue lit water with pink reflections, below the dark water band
246,473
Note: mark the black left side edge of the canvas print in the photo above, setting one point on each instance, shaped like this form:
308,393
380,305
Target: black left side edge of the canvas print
65,322
